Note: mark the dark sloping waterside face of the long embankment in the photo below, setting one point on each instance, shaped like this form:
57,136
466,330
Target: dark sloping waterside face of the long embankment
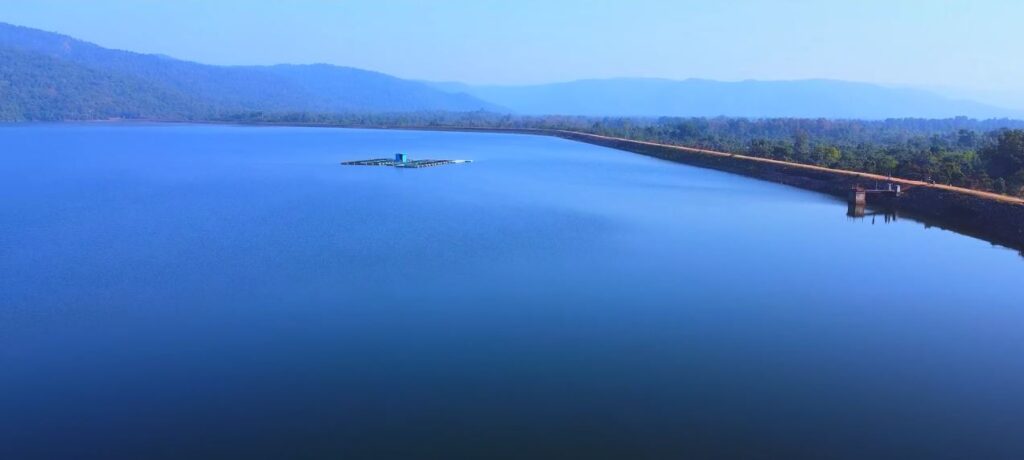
996,219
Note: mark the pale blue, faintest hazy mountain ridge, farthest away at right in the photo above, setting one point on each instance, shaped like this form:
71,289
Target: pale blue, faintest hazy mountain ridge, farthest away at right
656,98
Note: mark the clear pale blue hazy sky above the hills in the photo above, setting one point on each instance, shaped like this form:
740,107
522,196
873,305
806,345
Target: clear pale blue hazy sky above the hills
969,45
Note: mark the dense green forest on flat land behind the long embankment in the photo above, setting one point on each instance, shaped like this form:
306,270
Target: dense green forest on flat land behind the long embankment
985,155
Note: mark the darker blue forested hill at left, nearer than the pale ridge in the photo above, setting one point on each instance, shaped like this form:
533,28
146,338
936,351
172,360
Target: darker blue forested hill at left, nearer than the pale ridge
47,76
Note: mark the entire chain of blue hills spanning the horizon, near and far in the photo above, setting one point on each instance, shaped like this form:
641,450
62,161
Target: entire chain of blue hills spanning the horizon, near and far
49,76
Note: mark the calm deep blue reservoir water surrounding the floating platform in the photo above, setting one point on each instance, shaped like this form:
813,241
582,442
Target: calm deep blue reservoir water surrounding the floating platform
234,292
